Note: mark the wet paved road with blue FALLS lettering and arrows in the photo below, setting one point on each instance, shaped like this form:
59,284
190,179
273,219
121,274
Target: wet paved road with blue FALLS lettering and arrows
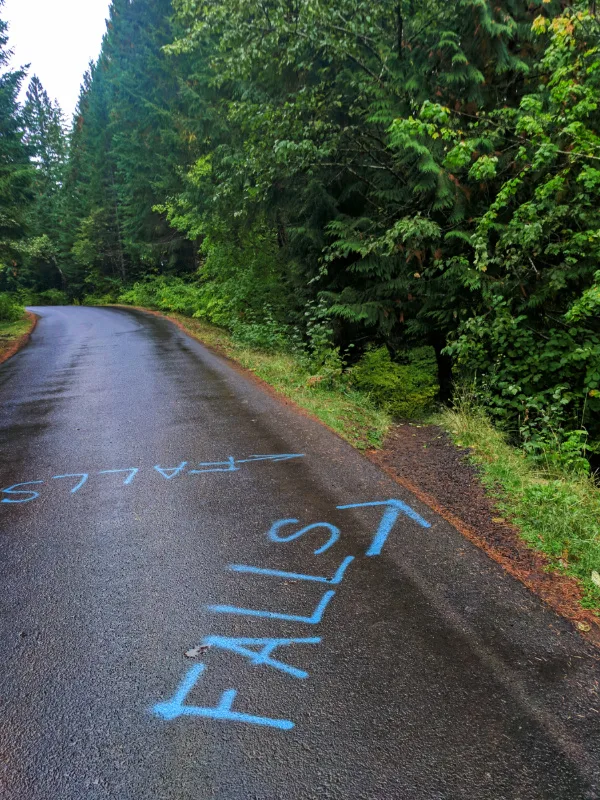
424,672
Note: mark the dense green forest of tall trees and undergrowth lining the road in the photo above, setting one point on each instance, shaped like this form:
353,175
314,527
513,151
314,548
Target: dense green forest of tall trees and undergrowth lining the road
405,192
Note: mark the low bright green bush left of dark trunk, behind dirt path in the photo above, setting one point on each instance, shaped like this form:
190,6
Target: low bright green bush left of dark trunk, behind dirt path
403,390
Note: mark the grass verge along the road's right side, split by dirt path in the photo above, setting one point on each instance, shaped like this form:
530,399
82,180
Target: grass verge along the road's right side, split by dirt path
556,514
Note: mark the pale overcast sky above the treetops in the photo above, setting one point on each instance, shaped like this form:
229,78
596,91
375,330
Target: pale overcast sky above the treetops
58,38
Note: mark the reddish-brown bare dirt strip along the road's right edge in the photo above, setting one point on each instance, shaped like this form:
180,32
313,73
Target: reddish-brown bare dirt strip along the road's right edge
504,545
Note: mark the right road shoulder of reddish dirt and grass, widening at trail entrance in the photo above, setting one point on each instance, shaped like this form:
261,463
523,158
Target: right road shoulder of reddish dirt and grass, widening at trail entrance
424,460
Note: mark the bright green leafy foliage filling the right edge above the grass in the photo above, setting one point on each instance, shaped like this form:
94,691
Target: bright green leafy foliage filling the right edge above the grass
531,337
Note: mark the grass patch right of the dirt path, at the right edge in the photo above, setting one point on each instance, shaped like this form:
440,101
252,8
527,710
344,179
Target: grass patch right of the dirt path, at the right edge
556,514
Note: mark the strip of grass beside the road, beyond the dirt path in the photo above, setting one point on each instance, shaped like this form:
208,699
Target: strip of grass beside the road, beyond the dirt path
348,412
